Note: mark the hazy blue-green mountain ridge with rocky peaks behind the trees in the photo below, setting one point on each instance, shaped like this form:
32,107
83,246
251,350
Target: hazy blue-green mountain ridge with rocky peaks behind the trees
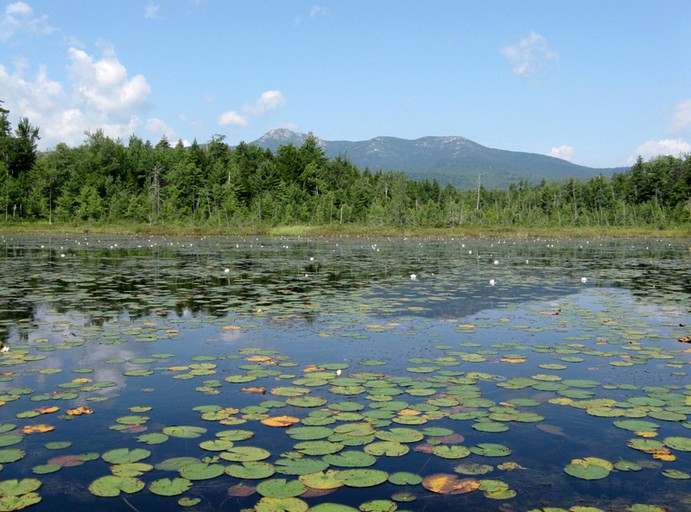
453,159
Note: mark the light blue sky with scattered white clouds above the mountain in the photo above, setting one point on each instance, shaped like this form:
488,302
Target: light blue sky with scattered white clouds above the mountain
597,82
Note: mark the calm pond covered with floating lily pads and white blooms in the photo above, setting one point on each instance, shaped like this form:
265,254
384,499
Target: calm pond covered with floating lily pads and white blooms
341,374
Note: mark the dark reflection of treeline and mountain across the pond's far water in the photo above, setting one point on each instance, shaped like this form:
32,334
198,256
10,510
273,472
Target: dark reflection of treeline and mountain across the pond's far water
104,278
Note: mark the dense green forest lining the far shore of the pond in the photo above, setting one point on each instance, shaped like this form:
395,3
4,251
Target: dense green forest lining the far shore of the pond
105,181
